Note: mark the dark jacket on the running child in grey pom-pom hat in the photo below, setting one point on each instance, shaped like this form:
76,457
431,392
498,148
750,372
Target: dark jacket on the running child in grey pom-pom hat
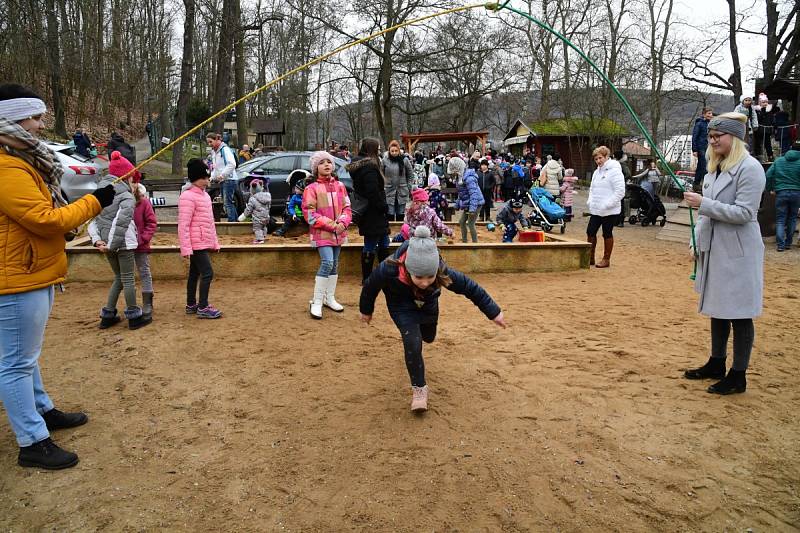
402,302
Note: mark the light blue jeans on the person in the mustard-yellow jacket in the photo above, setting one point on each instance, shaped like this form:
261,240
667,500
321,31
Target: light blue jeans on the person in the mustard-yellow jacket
23,317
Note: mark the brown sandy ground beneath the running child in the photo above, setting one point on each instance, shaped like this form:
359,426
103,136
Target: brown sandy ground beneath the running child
576,418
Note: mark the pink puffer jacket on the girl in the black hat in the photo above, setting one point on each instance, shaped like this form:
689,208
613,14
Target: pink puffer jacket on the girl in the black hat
196,230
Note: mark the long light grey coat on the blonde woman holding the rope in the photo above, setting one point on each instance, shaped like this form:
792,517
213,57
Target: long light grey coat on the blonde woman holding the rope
730,266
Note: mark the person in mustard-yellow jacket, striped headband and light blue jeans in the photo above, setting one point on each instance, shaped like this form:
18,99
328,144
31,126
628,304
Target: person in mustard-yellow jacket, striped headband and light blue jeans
34,219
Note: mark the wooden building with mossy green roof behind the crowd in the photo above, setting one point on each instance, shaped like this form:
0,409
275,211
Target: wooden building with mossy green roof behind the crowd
572,139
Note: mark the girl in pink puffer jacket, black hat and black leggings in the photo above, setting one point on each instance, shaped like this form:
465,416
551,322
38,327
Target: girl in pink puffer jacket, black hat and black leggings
197,237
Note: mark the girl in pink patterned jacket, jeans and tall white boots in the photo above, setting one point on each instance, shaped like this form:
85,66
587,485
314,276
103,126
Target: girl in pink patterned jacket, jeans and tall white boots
326,207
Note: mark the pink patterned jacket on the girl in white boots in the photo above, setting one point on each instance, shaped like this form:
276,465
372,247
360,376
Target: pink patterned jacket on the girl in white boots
325,203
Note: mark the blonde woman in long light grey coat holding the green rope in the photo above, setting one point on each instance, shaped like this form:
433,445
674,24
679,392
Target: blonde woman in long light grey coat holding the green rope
730,261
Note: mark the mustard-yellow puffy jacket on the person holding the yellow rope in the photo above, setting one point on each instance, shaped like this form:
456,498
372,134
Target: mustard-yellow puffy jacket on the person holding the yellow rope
31,230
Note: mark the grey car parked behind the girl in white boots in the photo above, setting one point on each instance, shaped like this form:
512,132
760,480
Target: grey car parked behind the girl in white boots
277,167
